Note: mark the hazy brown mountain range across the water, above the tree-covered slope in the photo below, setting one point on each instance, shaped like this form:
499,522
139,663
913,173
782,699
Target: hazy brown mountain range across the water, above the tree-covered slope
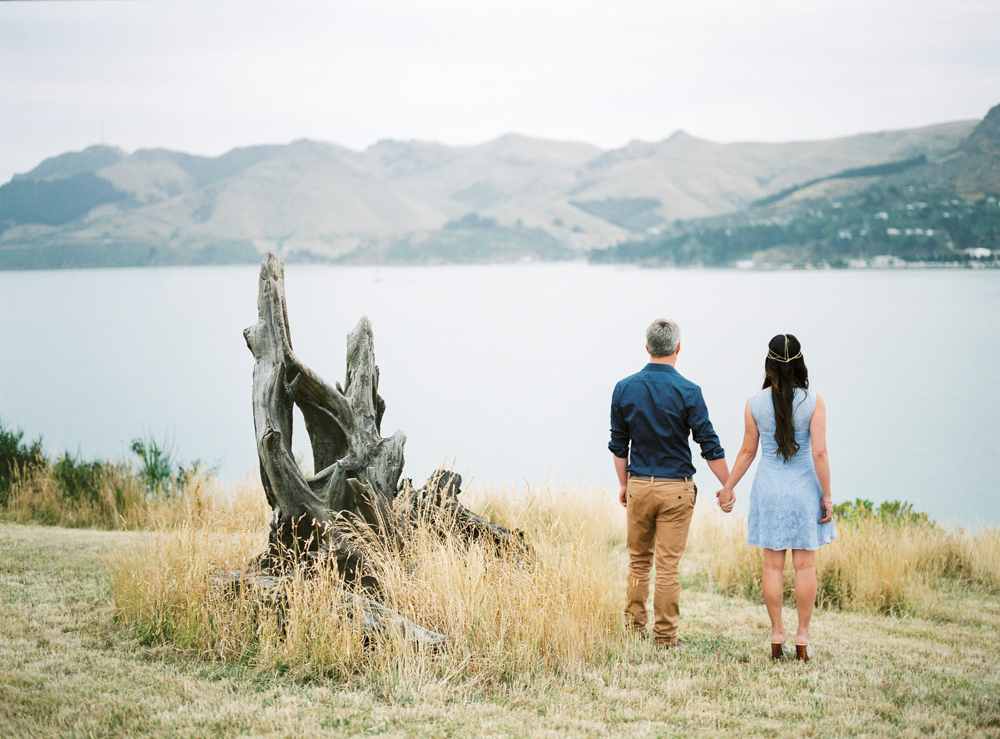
412,201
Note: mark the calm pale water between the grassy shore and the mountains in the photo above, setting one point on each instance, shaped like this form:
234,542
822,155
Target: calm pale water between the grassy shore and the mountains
509,369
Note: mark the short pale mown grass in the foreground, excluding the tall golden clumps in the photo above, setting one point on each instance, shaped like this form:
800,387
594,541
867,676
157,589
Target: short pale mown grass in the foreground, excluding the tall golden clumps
71,664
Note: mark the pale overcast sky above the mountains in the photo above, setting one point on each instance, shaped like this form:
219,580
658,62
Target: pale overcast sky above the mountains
206,76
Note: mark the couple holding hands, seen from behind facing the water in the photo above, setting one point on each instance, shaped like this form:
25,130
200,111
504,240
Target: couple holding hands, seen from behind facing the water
652,414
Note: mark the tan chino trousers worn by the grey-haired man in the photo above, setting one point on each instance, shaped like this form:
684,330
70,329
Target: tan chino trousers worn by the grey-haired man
659,515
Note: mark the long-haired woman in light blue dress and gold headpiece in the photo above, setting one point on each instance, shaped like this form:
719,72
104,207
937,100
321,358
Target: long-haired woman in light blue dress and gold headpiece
790,503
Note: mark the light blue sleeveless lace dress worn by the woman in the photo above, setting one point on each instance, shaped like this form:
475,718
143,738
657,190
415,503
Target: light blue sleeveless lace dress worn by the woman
785,499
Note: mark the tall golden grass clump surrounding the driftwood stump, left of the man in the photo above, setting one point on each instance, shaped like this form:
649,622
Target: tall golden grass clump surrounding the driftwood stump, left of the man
506,621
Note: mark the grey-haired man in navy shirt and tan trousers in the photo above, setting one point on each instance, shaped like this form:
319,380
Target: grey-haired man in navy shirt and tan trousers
652,413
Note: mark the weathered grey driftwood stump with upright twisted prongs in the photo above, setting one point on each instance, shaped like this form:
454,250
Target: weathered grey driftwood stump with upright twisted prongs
359,471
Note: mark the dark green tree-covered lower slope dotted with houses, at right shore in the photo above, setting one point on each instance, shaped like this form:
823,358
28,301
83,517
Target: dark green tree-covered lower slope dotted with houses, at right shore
882,225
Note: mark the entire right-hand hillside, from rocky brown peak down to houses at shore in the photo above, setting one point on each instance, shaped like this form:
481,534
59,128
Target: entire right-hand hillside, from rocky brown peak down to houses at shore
913,211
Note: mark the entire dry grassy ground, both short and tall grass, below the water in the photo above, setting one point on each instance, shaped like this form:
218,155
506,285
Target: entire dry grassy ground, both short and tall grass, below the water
122,633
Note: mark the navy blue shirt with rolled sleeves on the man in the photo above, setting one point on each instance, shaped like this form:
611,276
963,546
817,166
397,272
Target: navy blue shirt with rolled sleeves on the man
654,410
